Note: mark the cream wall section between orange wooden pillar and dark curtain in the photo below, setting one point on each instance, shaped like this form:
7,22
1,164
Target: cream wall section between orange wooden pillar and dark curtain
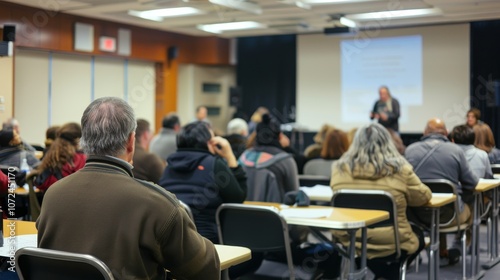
190,94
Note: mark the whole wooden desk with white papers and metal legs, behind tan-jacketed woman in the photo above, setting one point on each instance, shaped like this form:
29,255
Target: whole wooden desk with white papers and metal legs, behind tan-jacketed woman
347,219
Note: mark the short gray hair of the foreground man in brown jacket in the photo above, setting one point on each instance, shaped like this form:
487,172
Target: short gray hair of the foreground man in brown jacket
106,126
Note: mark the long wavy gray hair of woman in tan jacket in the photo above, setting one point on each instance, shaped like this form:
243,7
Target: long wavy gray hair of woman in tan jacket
372,146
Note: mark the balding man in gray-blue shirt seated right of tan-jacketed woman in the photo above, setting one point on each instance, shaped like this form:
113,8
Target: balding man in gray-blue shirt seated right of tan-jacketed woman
435,157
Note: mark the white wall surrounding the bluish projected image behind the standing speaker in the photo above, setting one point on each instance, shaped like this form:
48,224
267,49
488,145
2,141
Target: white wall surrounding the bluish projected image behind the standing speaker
445,78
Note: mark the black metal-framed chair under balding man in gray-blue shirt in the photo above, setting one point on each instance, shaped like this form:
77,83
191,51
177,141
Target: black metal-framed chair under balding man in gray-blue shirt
446,186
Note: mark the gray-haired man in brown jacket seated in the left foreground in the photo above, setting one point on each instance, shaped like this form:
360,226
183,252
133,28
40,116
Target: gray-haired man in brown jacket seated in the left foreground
103,204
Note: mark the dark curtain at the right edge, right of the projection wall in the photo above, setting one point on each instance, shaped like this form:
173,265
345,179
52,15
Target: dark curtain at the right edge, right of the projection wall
485,70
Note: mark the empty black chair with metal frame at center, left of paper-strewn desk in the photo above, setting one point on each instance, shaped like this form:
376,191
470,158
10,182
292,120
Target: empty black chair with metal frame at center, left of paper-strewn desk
259,228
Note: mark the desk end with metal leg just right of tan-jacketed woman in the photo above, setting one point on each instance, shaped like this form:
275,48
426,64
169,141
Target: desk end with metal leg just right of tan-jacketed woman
437,201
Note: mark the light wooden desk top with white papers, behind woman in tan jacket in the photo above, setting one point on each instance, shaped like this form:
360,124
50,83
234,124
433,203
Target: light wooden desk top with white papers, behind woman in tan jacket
339,218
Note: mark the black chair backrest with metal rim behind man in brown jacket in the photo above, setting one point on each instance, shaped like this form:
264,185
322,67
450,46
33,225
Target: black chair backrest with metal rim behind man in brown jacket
42,264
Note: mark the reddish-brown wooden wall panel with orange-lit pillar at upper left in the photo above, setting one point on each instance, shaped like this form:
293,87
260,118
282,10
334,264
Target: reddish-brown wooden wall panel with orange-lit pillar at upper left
53,31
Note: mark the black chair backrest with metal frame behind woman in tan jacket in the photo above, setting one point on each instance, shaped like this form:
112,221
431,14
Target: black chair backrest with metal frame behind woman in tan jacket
370,200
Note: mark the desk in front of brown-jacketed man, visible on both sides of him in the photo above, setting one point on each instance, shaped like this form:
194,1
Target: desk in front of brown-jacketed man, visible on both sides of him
228,255
